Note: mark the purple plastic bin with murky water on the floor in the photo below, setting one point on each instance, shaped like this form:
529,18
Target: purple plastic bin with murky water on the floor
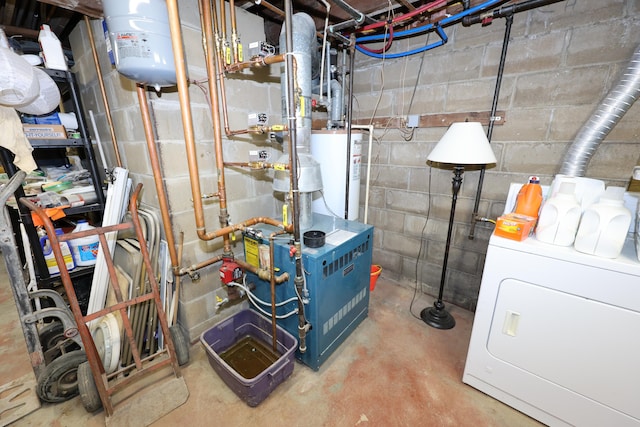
228,332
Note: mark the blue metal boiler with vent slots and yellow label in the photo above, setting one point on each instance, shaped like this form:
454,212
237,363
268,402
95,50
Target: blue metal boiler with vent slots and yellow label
337,277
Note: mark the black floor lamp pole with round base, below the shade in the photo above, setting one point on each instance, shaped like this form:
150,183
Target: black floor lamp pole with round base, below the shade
437,316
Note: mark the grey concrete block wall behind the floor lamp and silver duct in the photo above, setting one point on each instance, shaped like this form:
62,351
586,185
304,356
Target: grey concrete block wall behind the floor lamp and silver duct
562,60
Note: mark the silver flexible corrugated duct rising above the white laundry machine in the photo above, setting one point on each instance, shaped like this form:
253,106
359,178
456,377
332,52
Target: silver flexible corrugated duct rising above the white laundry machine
602,121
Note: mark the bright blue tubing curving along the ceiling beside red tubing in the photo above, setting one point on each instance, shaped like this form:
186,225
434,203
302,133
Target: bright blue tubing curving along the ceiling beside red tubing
413,31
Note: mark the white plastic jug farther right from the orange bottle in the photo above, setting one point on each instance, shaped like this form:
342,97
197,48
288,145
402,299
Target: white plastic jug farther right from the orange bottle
604,226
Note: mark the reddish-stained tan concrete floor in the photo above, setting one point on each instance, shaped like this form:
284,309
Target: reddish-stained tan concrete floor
392,371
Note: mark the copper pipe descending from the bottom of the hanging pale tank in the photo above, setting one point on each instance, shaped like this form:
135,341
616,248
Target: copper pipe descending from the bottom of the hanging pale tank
157,178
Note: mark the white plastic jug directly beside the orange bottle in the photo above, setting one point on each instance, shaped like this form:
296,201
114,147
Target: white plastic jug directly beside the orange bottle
560,217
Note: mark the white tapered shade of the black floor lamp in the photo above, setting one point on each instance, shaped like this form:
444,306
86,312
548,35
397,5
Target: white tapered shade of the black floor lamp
464,143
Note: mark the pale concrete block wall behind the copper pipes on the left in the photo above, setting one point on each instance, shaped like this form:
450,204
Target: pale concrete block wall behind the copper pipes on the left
249,193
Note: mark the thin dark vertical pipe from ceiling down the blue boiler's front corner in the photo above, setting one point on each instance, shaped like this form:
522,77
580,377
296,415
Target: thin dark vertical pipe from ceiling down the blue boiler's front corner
298,281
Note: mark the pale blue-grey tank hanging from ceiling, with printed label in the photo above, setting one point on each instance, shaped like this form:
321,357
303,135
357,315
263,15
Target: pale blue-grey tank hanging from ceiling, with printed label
141,40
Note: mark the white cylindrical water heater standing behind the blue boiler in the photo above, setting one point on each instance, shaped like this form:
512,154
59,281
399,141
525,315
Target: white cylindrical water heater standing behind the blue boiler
329,148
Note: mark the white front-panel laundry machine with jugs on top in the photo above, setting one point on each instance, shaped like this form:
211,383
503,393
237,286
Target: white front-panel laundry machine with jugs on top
556,333
